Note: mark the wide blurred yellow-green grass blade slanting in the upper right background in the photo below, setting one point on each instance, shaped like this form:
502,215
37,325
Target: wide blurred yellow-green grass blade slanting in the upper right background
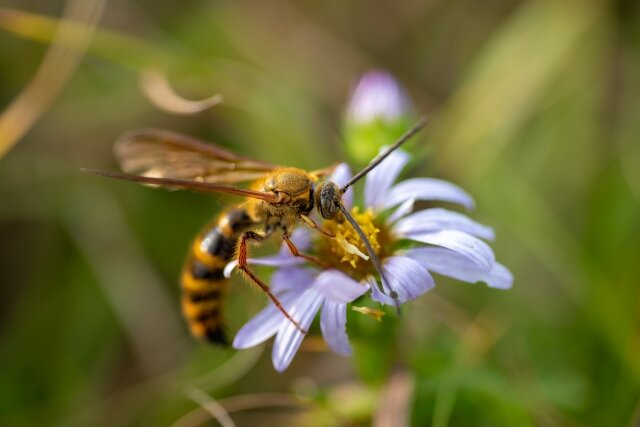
509,76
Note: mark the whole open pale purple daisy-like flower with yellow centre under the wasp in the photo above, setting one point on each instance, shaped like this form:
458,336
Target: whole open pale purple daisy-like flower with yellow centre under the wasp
410,245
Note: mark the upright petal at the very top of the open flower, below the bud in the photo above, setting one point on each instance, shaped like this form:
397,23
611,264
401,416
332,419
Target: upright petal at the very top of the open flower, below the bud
379,180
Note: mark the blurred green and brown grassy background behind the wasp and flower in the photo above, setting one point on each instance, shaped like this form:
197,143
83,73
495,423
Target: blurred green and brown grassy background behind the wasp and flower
534,110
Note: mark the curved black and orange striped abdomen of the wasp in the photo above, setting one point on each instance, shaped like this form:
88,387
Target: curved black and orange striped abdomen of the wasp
203,282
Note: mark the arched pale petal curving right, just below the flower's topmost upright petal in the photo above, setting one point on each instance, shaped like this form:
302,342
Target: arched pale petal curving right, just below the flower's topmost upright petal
426,189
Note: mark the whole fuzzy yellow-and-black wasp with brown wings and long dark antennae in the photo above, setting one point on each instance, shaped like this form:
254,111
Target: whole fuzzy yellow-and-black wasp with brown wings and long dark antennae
277,200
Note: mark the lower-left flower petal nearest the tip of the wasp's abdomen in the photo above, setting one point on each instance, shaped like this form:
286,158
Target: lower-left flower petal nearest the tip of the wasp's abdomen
264,324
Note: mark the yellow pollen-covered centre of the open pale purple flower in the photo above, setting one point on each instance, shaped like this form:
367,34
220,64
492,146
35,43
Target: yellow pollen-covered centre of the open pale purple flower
346,247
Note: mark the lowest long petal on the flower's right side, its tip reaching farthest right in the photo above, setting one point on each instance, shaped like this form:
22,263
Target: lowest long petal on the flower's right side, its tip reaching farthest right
453,264
